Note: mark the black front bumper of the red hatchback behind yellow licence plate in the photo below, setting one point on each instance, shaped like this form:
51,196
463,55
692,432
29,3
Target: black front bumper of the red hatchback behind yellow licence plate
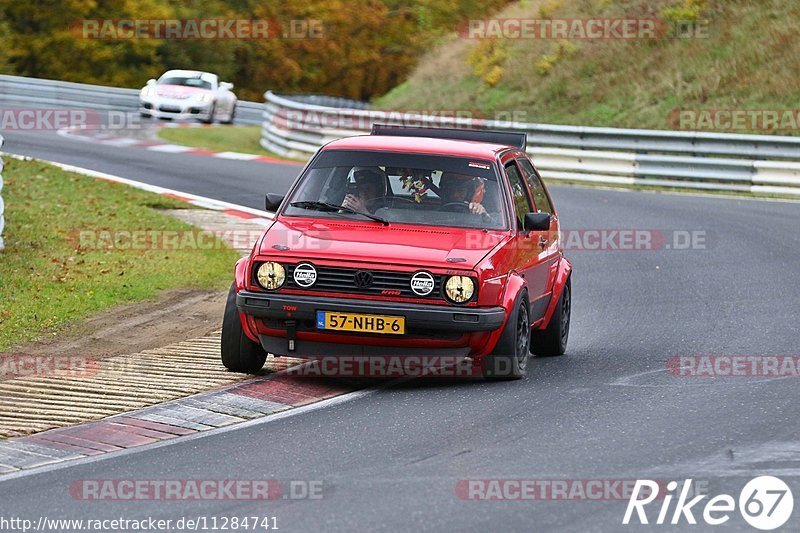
429,317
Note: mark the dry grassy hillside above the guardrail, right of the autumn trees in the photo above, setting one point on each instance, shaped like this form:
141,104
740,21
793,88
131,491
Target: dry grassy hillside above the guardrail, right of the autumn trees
749,60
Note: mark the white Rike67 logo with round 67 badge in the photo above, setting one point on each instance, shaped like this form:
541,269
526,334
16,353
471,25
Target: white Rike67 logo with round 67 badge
765,503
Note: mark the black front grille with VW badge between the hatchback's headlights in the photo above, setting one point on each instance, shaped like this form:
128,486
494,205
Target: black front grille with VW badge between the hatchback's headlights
344,280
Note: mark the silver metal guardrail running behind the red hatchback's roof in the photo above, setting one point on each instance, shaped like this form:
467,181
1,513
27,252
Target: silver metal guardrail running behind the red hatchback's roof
297,127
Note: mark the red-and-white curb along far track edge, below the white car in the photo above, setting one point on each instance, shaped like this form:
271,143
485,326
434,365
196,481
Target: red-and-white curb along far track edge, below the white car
101,137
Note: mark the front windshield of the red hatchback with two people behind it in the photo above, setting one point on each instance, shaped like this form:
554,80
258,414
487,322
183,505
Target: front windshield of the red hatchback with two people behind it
401,188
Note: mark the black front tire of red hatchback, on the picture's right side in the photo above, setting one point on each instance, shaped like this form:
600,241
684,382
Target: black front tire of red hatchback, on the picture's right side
509,359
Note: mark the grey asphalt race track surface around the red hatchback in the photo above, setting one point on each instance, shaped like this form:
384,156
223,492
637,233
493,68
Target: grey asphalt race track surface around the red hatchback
391,460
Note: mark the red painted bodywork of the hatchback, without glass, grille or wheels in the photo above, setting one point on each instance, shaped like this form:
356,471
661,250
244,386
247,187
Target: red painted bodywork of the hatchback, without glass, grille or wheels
504,262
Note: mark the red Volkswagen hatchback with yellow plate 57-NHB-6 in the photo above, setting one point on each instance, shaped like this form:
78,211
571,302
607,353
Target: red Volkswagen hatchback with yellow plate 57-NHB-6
407,242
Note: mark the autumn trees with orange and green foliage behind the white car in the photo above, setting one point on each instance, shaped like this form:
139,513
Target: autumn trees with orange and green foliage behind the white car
352,48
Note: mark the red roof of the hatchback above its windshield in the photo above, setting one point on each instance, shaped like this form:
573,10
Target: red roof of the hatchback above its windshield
420,145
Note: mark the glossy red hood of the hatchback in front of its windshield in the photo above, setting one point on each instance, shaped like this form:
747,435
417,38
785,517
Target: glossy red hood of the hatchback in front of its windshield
397,244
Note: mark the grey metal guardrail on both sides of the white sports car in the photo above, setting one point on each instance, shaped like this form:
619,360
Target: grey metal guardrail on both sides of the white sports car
26,92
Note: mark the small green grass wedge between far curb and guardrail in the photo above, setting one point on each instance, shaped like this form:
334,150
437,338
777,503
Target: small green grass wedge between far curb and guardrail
243,139
